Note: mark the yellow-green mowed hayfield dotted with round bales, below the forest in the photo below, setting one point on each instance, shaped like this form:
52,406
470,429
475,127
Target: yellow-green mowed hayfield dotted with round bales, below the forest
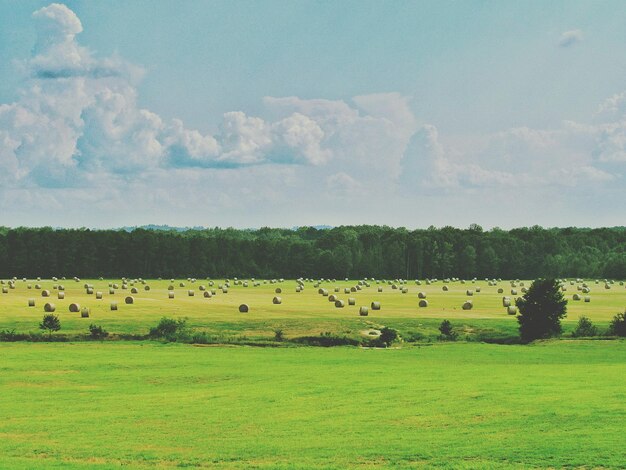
301,313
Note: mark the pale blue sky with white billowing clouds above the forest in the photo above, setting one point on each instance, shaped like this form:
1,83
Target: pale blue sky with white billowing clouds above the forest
291,113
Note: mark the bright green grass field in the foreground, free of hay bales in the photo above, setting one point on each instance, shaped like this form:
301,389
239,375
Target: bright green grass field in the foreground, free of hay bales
464,405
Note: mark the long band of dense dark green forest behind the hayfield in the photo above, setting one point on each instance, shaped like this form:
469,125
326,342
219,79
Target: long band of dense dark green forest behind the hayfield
350,251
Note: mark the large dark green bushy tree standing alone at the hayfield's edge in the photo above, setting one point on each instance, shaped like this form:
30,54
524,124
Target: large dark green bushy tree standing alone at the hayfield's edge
541,310
